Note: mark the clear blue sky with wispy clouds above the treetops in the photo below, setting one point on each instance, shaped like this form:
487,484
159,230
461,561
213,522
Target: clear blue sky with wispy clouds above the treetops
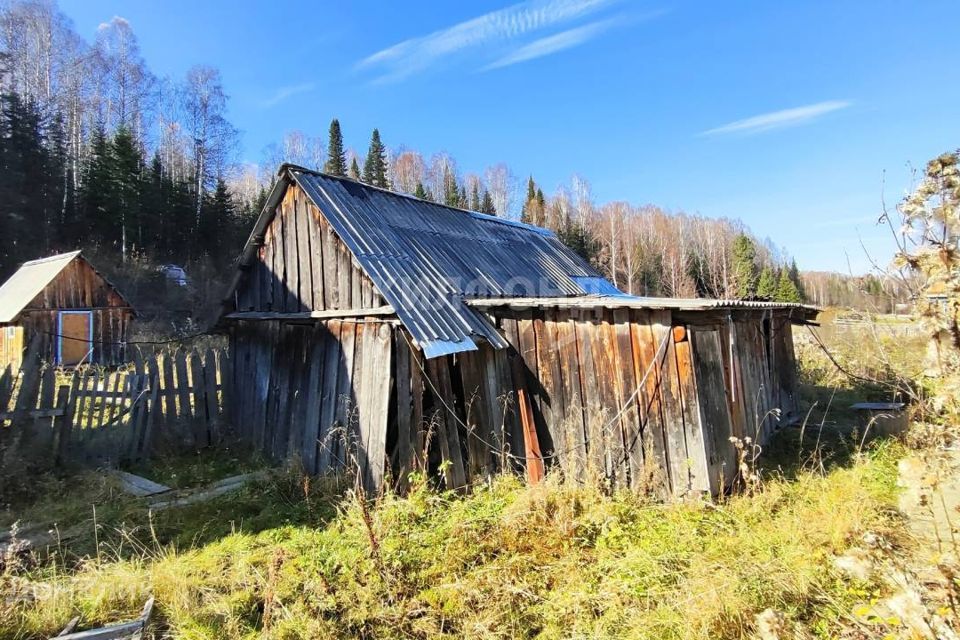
787,115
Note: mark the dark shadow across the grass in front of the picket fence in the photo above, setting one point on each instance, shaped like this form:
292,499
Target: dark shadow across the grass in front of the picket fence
91,516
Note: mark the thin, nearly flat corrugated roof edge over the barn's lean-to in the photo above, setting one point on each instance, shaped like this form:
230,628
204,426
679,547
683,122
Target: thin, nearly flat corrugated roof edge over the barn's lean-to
638,302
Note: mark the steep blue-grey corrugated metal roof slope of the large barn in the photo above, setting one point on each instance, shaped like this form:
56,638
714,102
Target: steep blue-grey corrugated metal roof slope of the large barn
425,258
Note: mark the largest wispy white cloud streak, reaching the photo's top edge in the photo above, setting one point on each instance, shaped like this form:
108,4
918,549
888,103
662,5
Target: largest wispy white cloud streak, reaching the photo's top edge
416,54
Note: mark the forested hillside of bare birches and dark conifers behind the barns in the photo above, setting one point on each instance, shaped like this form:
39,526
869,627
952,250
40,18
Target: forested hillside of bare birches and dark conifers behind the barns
98,152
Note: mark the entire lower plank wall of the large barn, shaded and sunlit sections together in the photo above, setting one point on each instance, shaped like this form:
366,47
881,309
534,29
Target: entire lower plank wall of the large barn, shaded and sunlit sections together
626,395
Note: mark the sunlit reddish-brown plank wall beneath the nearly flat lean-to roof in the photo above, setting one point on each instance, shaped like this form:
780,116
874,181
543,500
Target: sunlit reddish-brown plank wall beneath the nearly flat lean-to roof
648,401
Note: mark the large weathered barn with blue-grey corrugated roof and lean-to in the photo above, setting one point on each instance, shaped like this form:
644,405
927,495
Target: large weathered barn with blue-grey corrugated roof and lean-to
372,330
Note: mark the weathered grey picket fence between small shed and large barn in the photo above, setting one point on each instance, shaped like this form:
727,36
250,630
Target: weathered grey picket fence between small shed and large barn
177,399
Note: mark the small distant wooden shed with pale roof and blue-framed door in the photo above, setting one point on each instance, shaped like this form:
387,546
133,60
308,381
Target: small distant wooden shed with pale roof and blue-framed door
67,309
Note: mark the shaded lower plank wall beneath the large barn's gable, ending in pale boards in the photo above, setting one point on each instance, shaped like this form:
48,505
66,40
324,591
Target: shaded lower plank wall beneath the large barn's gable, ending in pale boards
320,392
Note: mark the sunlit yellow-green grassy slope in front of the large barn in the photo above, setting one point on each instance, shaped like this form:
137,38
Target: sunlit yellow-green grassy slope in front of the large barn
506,561
